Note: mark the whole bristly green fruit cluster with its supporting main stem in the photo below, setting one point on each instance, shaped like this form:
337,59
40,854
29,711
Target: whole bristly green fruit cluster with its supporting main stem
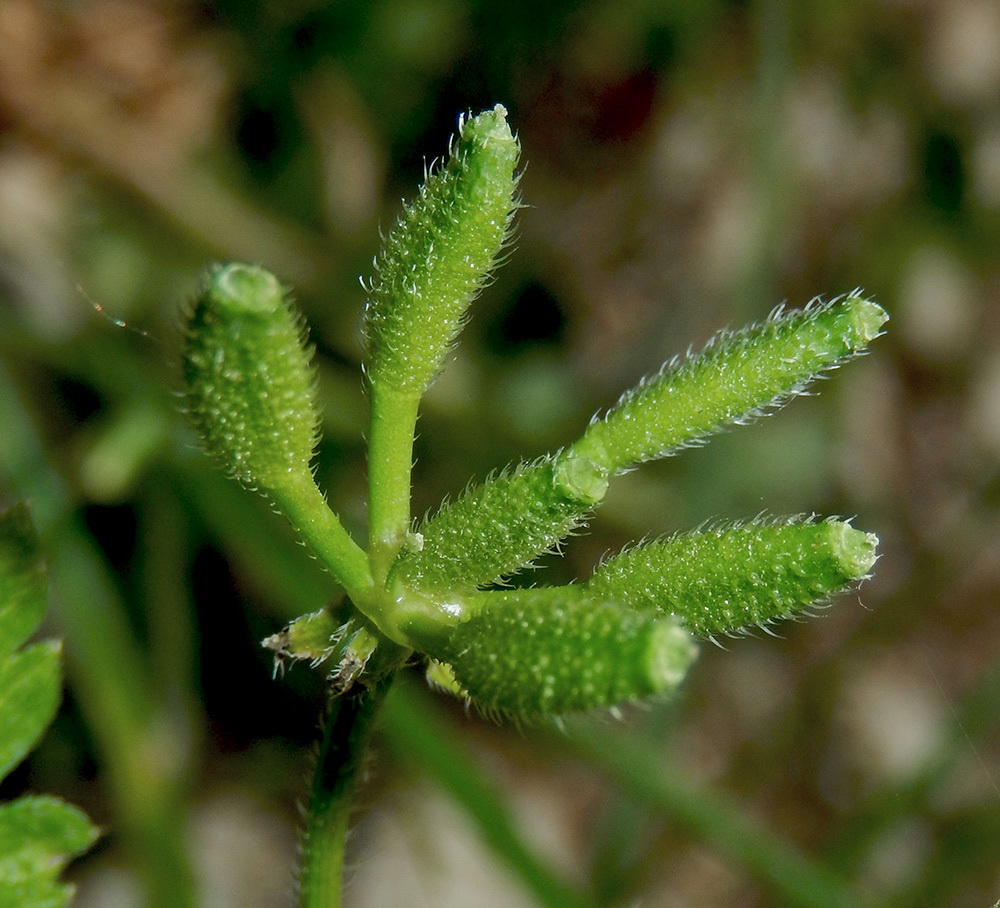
431,590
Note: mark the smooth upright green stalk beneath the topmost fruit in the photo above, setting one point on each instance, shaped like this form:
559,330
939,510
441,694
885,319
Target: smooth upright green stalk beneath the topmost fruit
390,463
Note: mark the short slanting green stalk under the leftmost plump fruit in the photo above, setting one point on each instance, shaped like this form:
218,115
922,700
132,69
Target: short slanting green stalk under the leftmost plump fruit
306,509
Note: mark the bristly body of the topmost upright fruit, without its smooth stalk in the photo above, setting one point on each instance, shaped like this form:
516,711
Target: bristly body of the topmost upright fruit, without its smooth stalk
440,253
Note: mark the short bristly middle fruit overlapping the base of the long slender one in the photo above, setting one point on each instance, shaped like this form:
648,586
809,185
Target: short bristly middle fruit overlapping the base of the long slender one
499,527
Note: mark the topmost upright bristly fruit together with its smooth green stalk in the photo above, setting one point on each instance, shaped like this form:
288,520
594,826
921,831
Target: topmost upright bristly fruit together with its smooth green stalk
433,263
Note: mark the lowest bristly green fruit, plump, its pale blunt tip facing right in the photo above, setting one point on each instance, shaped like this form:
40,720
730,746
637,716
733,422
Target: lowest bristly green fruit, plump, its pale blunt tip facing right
558,650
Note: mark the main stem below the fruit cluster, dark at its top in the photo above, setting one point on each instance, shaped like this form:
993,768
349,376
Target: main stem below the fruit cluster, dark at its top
346,730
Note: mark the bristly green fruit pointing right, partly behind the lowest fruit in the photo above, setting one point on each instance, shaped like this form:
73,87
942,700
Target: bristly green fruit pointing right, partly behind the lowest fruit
730,579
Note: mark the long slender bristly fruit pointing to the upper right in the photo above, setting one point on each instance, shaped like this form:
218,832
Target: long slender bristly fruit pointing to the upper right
736,378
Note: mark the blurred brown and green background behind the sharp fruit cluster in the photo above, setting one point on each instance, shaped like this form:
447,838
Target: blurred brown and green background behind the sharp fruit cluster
688,166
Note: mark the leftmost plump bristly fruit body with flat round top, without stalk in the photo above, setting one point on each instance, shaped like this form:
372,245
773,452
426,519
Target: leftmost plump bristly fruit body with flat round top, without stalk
250,388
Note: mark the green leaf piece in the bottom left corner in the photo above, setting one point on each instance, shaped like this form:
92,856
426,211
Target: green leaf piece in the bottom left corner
38,835
